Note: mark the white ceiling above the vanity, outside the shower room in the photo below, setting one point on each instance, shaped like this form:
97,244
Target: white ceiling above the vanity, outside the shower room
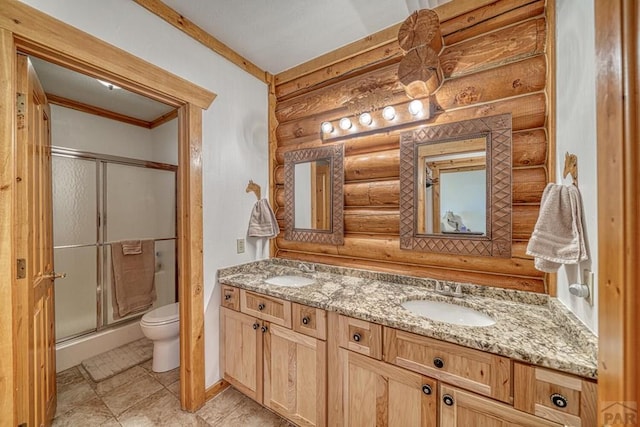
279,34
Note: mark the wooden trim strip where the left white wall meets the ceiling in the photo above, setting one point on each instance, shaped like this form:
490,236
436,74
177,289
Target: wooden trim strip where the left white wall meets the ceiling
192,30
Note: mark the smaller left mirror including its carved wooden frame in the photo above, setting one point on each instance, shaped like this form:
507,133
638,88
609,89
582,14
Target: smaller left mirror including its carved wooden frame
314,203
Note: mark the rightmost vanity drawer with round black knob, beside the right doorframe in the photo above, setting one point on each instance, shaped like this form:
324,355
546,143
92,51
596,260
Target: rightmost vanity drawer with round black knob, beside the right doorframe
555,396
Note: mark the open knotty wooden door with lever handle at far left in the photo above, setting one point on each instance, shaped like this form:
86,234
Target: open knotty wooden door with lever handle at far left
34,247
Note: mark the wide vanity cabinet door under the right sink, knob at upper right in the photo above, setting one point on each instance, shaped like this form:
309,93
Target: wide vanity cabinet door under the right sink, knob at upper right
379,394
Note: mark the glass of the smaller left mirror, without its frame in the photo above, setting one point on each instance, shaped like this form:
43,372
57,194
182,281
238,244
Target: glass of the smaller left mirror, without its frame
312,196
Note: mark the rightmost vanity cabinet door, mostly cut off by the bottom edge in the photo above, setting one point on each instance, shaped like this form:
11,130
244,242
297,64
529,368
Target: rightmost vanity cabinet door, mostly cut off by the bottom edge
464,409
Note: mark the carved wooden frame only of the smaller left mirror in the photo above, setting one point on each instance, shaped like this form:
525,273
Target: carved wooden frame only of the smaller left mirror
335,235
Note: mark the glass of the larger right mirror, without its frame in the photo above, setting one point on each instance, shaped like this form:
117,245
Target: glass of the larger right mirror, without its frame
452,187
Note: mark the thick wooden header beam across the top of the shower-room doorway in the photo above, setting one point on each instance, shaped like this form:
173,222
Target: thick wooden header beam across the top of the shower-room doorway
69,47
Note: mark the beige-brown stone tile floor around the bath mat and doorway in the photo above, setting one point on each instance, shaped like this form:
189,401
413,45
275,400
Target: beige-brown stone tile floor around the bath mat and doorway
141,397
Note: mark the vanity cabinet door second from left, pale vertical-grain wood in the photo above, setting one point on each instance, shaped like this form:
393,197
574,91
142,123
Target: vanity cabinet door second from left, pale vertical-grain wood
295,376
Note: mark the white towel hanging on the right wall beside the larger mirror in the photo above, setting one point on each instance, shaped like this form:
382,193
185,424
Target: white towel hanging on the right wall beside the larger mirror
558,237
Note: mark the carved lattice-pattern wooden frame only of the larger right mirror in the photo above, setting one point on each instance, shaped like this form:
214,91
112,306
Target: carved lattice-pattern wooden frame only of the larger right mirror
497,241
